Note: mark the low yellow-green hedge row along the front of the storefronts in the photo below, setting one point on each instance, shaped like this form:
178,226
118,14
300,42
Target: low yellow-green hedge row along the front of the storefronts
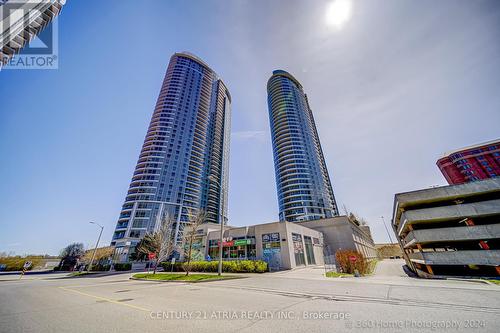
236,266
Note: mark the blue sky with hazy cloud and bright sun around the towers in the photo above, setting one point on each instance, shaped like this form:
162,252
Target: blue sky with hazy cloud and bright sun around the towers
392,89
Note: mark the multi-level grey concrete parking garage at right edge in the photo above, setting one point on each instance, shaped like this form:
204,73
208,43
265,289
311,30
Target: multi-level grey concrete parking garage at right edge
450,230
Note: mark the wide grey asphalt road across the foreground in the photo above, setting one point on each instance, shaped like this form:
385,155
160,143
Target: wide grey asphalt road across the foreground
295,301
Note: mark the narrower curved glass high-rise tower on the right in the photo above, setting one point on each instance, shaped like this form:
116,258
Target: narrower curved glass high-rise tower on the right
302,180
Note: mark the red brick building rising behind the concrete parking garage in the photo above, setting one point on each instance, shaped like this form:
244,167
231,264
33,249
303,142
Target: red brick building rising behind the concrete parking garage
472,163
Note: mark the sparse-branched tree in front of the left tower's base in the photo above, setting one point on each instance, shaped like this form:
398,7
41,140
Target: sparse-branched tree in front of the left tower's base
160,242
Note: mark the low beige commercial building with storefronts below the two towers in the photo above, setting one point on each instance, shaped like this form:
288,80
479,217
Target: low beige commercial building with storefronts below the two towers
285,245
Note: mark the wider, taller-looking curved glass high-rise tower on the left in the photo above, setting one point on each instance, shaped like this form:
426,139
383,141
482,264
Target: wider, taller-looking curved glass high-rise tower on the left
183,164
